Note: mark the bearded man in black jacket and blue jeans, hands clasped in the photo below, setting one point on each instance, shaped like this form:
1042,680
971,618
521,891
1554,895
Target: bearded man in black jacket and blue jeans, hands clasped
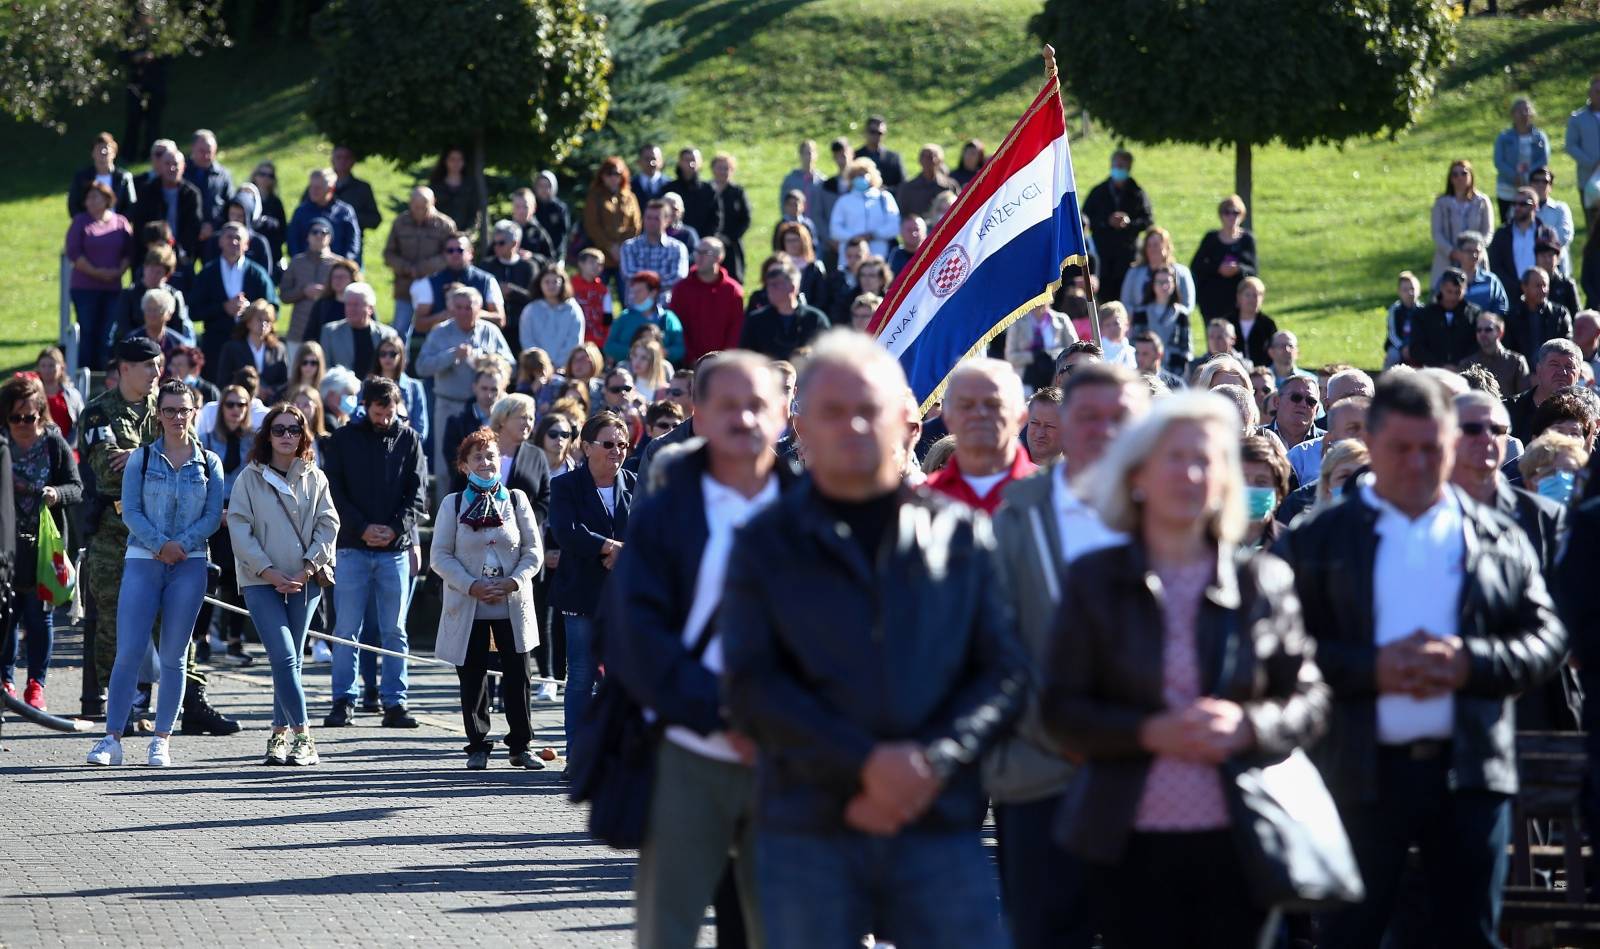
378,483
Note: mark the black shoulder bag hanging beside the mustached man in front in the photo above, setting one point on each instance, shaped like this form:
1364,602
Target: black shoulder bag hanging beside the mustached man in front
615,763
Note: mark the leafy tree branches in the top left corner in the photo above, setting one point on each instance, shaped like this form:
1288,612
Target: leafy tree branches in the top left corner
62,55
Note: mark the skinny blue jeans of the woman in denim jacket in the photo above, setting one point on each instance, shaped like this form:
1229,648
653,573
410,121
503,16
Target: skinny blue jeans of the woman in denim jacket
150,587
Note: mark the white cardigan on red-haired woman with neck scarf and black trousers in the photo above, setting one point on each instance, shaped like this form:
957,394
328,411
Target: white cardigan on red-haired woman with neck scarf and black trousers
458,559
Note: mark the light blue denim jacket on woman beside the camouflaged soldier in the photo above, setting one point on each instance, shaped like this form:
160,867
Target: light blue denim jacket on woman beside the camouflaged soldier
161,503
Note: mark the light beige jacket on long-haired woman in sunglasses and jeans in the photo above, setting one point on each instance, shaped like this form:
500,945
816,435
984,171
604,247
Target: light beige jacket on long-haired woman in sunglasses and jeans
265,539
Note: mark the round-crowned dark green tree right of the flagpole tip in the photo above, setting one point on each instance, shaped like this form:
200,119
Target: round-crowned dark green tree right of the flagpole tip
1249,73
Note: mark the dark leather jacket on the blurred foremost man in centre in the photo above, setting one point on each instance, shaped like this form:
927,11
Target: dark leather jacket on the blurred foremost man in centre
828,655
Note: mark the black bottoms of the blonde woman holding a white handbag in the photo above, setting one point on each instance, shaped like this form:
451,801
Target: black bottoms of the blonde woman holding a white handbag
1180,892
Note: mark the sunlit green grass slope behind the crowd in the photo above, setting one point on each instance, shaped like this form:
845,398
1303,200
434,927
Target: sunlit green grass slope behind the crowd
1335,225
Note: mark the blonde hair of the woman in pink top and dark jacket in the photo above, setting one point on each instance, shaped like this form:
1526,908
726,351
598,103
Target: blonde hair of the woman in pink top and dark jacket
1110,481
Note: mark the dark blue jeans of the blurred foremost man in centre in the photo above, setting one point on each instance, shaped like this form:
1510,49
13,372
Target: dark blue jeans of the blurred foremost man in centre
919,889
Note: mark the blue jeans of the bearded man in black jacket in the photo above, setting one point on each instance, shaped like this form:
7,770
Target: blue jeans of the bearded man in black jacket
359,575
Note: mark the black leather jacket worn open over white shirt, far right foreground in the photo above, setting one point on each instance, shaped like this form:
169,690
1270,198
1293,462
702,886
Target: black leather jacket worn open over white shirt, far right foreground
1506,620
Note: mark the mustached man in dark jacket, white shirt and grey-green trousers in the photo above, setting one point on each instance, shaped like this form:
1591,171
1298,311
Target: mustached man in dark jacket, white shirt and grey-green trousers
668,655
